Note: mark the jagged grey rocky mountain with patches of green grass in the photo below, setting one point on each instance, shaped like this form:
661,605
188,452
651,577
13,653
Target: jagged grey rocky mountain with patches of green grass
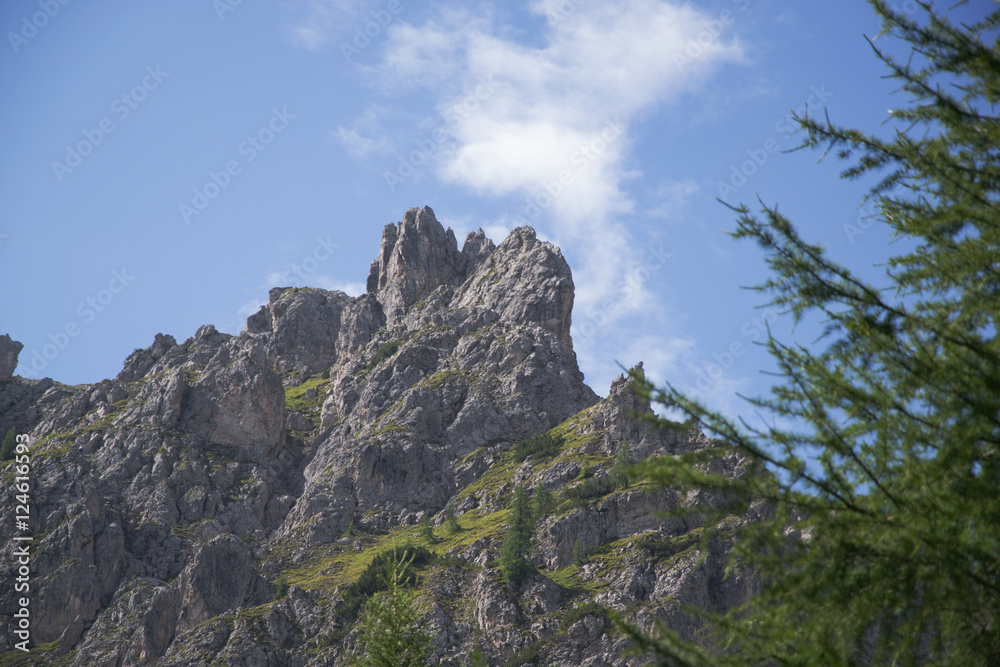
216,499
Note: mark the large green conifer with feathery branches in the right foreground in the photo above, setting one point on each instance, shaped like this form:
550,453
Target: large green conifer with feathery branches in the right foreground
882,440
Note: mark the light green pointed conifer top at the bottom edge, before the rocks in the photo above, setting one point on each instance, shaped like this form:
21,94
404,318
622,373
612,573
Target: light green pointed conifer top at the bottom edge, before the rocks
393,632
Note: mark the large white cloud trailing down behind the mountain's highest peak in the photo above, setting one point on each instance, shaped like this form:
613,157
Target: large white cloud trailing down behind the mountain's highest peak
549,127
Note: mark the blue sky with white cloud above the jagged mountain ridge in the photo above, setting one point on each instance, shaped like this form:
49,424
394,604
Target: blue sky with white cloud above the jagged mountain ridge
166,164
